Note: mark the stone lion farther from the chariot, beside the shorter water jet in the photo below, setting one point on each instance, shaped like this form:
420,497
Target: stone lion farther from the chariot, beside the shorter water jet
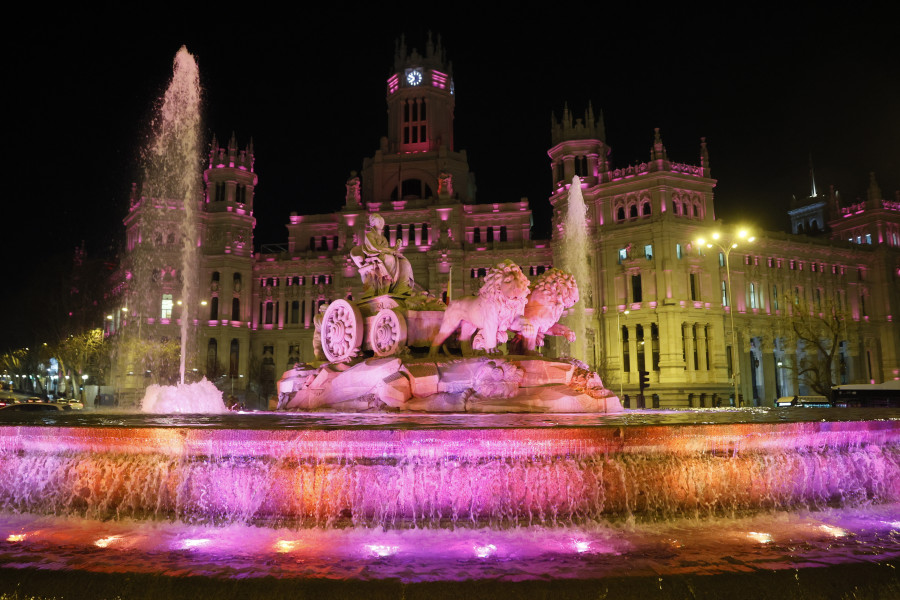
552,293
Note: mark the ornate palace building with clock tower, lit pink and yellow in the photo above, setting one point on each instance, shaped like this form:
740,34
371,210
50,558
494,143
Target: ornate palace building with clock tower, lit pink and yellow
701,320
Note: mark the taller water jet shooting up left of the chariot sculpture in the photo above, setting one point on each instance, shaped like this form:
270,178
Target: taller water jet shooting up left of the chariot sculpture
173,175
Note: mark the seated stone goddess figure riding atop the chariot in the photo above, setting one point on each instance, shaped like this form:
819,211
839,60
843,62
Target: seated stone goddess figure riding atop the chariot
383,268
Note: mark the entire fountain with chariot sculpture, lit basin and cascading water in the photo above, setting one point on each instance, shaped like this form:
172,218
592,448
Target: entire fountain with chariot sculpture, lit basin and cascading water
402,466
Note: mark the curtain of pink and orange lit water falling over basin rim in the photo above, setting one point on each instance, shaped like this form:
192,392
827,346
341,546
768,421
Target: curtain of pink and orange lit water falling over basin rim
446,477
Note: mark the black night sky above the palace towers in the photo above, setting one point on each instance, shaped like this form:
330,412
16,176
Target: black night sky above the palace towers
765,89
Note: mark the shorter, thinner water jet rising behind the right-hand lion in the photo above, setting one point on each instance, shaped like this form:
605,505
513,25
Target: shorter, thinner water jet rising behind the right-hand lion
575,261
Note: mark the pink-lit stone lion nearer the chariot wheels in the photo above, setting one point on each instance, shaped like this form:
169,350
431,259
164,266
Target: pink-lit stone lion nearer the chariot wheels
499,303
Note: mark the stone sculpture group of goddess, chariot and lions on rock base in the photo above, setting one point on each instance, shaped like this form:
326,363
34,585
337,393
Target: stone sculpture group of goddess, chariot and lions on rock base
393,316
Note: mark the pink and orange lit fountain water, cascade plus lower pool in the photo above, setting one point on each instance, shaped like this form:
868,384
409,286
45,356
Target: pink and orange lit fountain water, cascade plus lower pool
421,498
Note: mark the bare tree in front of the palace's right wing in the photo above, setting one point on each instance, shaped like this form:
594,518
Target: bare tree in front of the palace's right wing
817,327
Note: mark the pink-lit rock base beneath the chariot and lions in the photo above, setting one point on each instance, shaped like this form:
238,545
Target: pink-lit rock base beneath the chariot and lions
478,385
